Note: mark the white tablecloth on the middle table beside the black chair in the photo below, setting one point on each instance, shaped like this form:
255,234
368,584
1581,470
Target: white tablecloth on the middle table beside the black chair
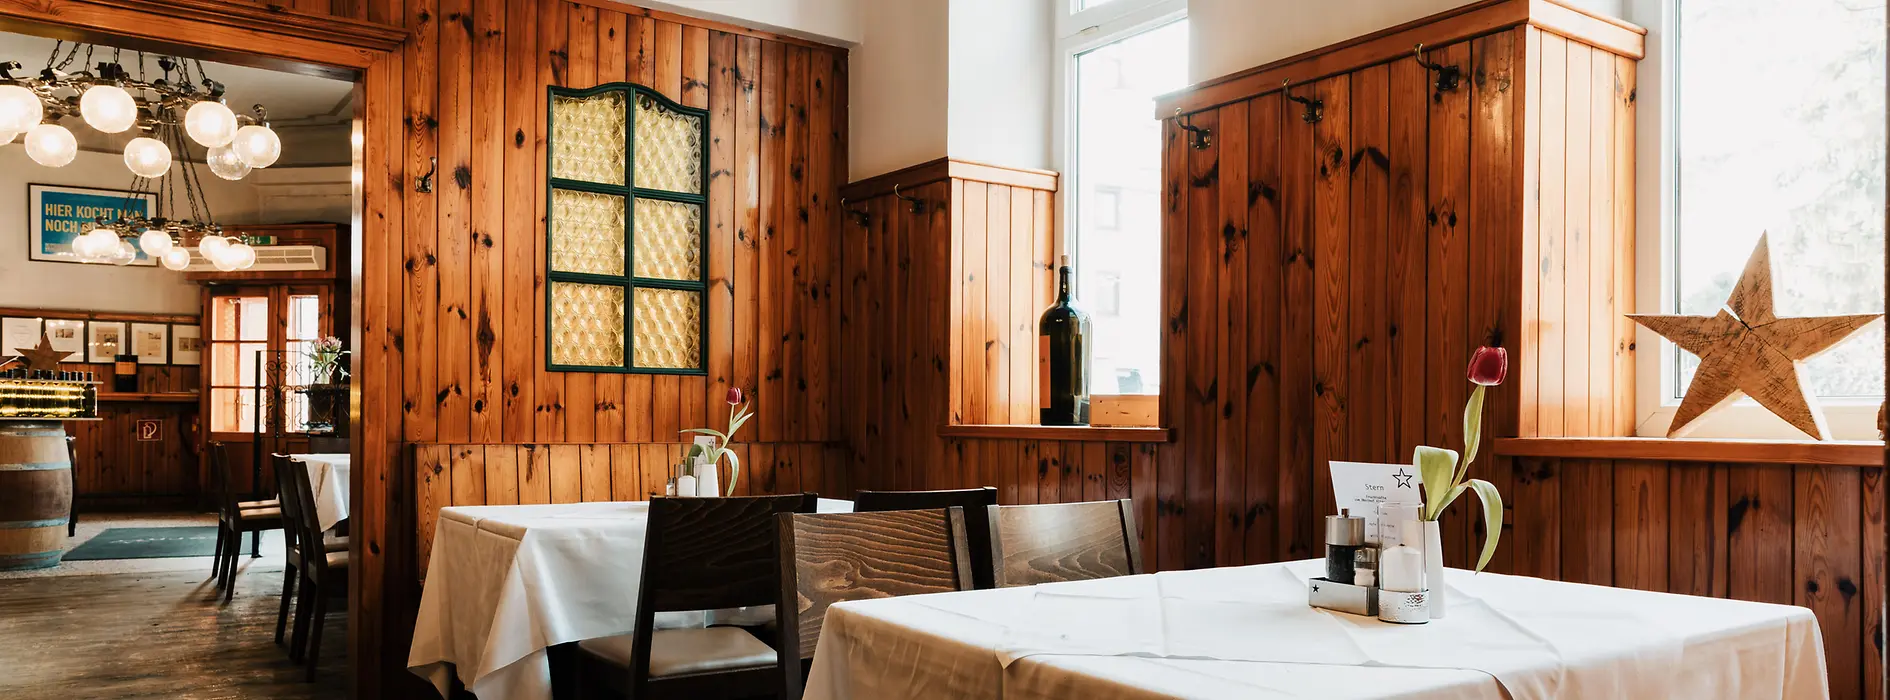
507,582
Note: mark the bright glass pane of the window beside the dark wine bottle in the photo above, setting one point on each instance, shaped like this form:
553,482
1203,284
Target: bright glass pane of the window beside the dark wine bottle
1118,209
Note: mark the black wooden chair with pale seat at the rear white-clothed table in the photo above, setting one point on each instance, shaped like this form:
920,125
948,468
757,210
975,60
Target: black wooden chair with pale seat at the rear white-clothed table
698,555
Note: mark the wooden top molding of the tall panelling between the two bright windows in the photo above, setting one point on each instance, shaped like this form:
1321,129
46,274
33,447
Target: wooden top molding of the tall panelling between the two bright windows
1398,43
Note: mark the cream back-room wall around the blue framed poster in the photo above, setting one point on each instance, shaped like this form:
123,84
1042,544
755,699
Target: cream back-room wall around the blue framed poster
150,290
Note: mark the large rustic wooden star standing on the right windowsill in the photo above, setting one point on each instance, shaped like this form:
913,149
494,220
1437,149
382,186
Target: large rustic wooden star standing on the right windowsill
1749,351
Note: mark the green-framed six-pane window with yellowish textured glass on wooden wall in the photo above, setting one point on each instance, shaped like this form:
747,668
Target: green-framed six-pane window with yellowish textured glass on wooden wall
579,294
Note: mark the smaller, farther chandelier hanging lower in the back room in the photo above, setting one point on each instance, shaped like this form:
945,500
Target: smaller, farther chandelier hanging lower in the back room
167,237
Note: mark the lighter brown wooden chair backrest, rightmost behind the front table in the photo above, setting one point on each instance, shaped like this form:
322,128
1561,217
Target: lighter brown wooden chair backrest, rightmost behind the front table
1063,542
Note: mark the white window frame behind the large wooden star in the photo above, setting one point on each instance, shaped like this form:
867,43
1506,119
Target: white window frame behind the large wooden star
1657,183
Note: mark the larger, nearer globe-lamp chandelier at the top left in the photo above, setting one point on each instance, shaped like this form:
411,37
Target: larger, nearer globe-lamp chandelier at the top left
111,99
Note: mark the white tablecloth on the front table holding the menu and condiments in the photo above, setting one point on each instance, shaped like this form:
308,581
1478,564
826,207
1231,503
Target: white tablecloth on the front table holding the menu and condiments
1246,633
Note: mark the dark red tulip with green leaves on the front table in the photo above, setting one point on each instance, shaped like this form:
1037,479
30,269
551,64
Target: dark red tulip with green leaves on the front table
1441,470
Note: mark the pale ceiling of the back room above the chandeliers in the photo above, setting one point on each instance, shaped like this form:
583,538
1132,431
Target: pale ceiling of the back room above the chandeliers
313,114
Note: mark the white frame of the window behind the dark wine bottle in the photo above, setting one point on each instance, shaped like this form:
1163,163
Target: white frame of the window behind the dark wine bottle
1080,33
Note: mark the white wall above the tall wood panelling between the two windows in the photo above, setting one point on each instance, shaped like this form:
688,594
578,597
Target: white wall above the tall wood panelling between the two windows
1237,35
